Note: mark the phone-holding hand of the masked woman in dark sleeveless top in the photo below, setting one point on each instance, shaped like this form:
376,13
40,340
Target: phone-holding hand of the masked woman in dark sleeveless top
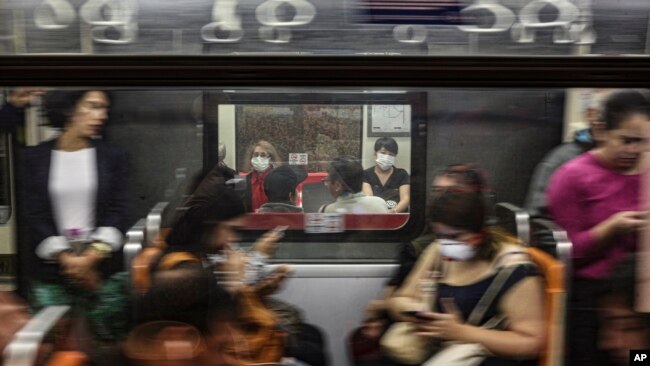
448,325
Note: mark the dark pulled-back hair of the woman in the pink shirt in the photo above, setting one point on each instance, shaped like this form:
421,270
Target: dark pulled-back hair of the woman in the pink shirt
621,104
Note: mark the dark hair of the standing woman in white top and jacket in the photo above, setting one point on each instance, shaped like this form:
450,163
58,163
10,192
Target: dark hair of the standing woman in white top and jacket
59,105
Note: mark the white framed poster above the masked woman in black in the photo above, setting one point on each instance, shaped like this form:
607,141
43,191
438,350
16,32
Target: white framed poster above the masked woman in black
392,120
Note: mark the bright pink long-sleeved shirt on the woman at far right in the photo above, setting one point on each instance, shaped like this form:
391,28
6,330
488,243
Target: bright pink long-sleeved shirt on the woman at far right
581,194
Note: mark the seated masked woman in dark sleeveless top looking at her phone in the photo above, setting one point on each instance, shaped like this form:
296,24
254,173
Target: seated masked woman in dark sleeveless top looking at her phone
472,262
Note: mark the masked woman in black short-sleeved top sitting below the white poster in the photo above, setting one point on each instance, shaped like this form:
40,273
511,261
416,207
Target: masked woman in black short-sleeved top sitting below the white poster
387,181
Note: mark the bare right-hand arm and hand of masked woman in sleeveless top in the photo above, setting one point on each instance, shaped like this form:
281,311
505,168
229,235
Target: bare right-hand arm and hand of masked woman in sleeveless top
523,307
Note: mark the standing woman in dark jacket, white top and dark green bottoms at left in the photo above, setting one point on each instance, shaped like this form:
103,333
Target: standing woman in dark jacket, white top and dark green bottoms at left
74,199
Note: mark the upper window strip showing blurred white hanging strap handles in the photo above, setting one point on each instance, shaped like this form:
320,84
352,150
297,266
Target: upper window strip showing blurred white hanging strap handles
321,27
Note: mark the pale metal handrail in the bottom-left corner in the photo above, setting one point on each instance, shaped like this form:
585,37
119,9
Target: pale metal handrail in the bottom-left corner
23,349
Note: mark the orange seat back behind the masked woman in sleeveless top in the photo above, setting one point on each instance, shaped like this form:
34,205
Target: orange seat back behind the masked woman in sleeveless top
555,303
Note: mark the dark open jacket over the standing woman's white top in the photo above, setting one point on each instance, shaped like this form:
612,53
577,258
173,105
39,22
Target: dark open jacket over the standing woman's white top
111,201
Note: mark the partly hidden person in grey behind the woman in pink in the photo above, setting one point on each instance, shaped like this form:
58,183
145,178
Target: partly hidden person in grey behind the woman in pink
584,140
